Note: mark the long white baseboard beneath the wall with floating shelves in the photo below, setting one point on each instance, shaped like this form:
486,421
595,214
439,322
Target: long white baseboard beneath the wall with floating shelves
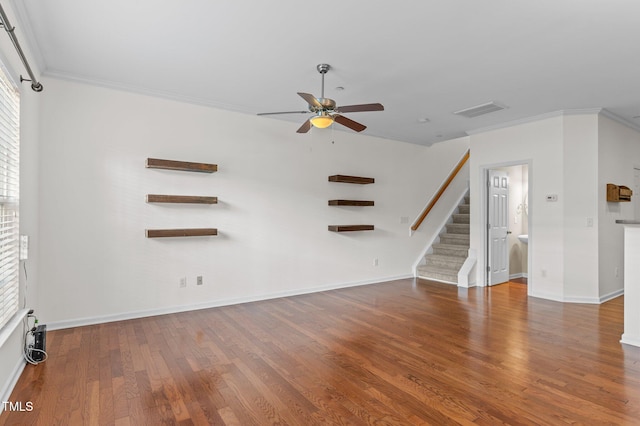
80,322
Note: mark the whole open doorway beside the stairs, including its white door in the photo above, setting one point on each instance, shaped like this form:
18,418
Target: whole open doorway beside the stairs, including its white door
508,223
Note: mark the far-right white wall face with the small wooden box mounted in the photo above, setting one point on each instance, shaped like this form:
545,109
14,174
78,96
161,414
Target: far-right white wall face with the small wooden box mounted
618,154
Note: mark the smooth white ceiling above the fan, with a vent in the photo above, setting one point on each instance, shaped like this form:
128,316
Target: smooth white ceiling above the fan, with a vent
420,59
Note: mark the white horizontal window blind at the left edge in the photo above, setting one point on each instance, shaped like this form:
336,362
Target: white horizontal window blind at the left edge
9,192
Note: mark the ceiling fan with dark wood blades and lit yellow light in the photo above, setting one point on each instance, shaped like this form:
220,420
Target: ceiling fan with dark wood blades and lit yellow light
325,110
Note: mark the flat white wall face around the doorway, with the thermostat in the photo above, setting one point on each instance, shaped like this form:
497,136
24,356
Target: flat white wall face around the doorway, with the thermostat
539,145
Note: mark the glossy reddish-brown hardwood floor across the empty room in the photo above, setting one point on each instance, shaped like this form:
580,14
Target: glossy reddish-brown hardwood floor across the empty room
403,352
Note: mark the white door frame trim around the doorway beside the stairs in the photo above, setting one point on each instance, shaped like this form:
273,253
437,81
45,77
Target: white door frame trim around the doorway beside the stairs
483,192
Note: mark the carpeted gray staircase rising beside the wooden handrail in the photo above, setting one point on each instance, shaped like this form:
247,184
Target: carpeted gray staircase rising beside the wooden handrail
448,255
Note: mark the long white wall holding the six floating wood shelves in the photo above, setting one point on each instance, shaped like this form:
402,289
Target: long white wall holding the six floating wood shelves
272,214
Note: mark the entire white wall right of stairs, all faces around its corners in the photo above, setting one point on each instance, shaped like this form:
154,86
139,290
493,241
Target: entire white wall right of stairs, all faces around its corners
575,246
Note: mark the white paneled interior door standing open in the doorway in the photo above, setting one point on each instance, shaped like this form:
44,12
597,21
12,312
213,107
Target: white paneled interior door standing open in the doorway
498,226
